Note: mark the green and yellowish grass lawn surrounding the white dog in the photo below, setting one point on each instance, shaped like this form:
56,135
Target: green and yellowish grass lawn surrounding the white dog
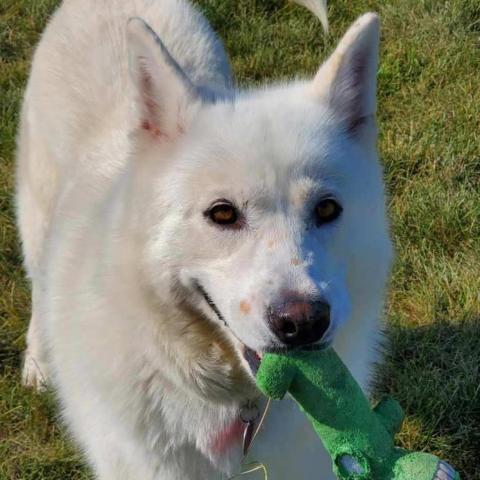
429,112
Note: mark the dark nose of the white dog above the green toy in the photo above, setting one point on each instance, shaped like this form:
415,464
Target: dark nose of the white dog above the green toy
299,322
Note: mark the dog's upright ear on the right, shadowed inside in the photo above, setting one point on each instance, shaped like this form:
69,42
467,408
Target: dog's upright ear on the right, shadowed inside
348,79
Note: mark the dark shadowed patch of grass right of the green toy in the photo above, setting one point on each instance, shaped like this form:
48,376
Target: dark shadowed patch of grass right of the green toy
434,372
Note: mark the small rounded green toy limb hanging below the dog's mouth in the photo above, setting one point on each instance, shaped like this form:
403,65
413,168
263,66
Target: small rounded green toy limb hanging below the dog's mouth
275,375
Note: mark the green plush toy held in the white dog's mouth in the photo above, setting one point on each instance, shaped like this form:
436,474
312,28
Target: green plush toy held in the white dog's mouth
358,439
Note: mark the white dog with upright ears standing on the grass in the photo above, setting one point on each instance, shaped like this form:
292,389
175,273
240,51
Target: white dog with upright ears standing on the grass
174,227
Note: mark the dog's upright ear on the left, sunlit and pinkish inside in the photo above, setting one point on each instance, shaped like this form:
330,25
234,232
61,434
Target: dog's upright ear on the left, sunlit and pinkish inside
165,96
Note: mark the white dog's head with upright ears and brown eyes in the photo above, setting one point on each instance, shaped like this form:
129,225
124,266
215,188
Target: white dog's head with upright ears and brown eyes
265,209
